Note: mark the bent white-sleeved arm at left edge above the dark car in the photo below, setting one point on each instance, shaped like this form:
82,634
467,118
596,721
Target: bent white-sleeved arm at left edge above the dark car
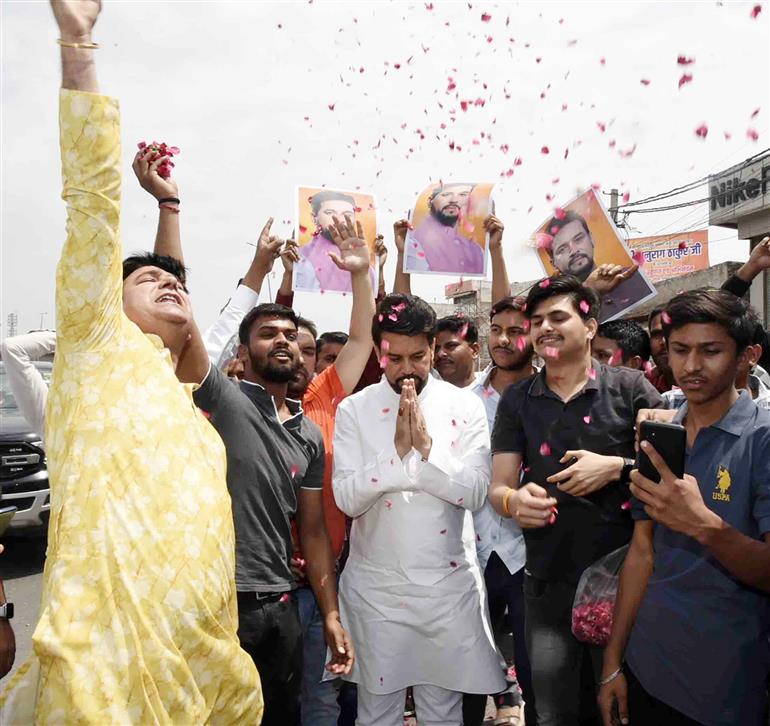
25,381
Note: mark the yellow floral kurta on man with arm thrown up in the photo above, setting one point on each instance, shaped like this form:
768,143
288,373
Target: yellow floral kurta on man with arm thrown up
138,620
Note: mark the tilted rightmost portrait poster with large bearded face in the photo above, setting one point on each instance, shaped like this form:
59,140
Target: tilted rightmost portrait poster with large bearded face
578,238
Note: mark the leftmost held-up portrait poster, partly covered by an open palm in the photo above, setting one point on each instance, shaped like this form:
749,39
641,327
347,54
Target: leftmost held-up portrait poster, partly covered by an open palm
316,209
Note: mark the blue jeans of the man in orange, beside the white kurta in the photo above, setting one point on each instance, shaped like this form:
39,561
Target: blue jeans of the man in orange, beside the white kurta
319,698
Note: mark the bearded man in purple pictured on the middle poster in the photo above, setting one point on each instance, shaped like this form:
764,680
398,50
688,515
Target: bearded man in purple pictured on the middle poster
438,244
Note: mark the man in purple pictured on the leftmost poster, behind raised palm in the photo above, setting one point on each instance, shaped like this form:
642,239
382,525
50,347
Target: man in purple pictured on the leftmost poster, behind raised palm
316,269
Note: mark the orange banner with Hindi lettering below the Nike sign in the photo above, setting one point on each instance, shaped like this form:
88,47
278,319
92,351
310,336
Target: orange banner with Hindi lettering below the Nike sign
673,255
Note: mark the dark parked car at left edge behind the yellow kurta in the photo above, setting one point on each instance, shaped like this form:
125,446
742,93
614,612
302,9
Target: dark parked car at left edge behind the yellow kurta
23,472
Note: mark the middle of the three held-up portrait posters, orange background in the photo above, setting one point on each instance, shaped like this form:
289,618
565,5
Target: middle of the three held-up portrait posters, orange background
447,235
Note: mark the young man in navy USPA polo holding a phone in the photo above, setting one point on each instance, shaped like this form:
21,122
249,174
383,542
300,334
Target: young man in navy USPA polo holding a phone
692,615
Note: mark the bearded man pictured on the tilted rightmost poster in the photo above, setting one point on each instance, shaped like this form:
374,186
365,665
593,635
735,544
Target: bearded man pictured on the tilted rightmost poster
572,253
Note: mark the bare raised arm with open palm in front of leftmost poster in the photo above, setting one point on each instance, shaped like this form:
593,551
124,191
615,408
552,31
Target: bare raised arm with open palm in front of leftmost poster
354,257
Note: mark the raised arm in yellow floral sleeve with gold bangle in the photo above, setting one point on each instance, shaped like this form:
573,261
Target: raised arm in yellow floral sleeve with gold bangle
89,302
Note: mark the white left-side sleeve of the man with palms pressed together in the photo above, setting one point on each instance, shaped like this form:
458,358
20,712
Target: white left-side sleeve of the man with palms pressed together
359,483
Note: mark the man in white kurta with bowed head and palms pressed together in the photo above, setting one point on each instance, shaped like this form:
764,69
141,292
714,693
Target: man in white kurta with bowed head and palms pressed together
412,593
